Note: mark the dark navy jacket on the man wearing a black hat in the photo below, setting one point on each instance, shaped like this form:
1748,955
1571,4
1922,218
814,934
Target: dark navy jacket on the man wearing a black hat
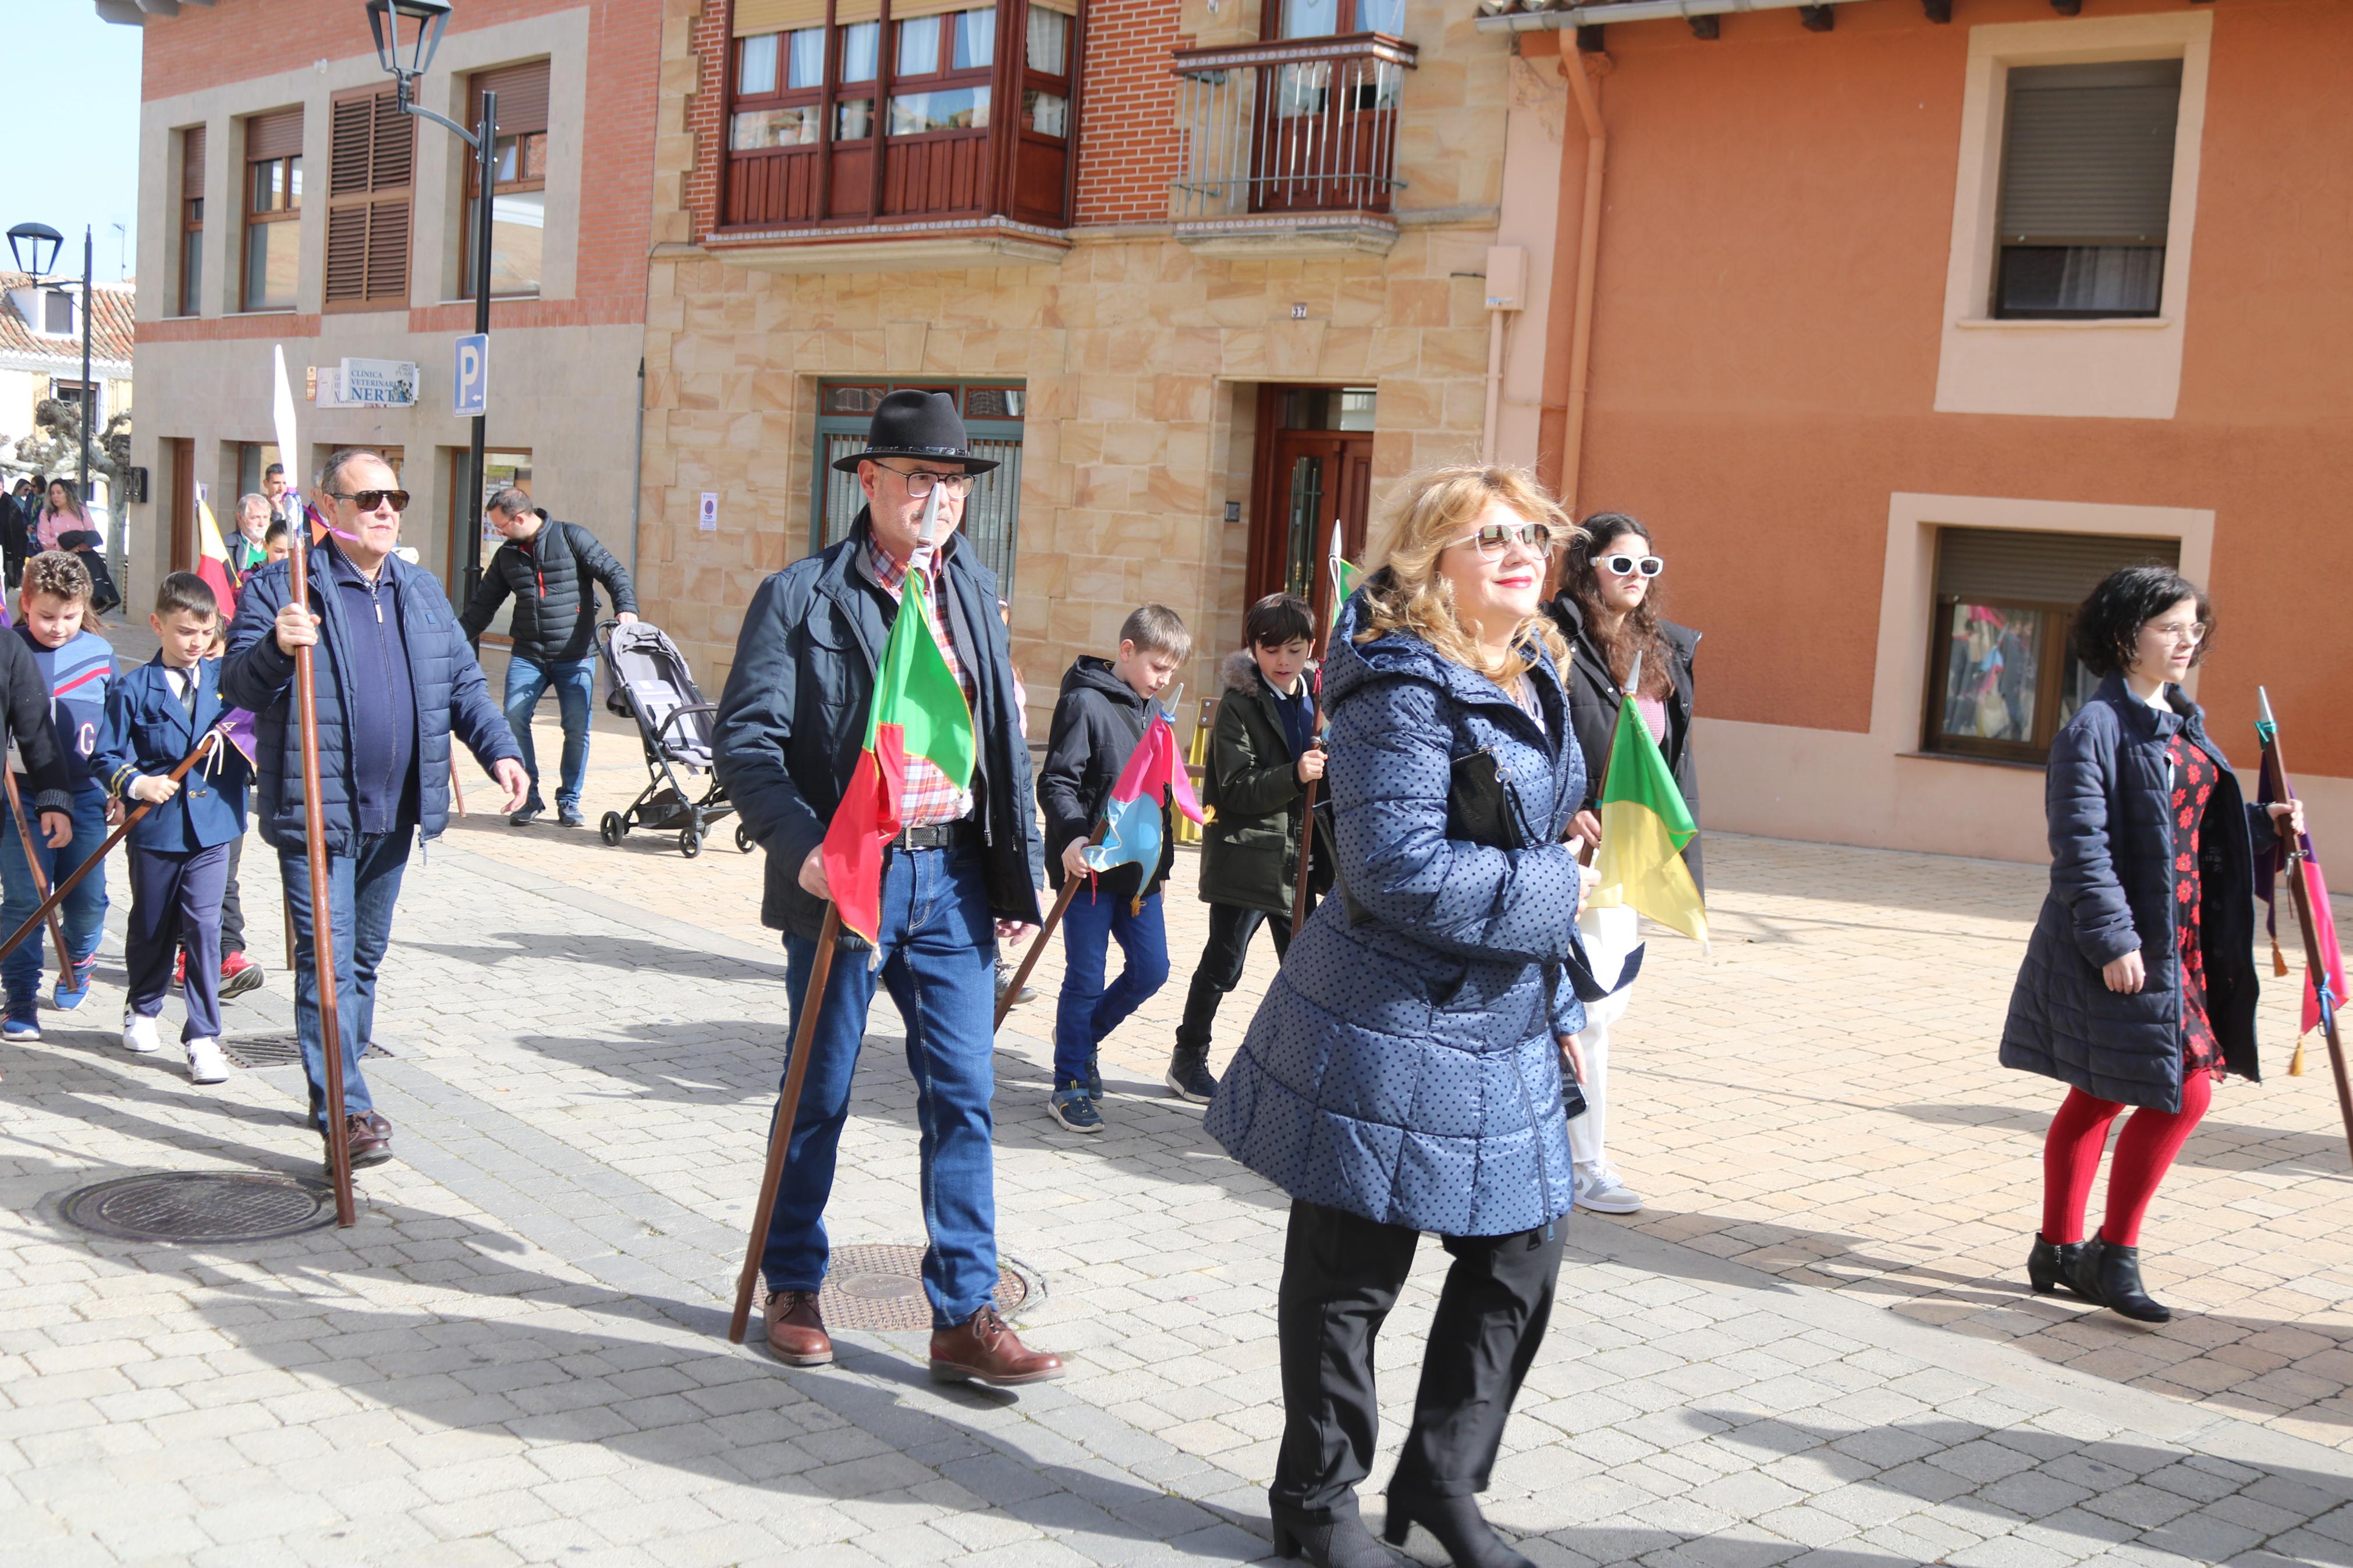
794,721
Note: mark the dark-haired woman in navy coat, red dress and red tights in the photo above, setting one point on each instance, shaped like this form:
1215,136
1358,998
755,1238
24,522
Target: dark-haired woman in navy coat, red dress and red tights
2140,977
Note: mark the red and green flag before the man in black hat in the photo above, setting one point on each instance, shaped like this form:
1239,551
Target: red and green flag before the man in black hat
919,711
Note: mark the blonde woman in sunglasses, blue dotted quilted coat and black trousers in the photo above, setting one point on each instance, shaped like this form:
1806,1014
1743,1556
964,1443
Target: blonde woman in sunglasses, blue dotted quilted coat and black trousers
1401,1073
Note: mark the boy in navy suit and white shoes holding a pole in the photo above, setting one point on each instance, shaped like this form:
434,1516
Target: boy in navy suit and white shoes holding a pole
180,850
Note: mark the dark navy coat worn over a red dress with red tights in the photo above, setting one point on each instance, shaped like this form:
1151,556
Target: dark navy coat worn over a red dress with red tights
2114,892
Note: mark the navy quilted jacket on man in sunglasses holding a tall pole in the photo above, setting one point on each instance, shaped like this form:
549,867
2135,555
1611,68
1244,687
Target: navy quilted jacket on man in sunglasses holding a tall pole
444,676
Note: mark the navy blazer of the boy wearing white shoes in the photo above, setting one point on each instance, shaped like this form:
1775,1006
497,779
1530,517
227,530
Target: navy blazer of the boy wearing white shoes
149,730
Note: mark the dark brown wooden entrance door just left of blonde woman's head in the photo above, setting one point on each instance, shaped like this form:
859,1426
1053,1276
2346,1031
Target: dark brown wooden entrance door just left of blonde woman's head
1312,476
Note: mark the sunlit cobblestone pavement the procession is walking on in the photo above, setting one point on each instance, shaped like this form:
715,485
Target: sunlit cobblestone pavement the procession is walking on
1811,1348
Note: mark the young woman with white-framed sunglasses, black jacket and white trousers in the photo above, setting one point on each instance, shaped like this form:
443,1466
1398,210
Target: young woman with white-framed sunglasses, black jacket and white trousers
1608,608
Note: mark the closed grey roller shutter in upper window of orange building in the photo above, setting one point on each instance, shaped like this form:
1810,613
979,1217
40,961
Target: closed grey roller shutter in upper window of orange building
2091,154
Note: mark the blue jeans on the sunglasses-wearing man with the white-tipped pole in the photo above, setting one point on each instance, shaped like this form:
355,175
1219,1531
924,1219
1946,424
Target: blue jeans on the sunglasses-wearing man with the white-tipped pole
361,897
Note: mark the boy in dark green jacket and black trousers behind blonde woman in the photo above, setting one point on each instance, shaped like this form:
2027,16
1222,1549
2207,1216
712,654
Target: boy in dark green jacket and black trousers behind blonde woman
1262,758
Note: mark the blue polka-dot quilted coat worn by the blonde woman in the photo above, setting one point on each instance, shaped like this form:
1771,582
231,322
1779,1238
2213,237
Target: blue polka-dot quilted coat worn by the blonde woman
1404,1066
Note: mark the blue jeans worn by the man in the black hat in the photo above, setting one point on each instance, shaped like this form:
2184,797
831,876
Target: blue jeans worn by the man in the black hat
940,963
